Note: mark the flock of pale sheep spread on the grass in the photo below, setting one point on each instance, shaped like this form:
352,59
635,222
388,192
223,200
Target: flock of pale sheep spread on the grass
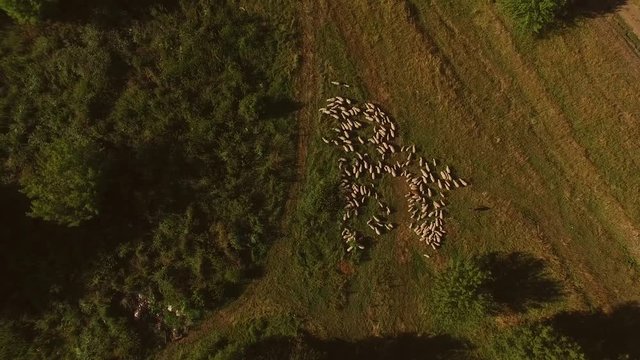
367,158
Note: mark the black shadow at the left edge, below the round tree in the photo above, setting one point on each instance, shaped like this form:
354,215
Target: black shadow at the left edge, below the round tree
39,262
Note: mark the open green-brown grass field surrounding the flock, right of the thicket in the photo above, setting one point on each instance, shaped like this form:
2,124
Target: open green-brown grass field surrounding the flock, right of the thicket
546,129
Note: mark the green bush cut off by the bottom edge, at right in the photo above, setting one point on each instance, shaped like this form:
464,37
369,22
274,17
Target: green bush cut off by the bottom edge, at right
536,342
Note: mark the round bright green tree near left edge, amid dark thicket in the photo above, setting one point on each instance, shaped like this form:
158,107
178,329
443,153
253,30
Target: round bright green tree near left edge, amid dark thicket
63,184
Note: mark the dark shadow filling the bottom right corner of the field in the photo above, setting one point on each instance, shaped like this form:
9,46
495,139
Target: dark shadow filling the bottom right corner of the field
614,335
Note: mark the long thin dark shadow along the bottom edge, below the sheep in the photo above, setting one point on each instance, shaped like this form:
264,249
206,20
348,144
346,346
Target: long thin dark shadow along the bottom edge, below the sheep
405,346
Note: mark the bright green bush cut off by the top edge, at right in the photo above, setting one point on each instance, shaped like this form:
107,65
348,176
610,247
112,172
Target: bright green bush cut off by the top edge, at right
534,16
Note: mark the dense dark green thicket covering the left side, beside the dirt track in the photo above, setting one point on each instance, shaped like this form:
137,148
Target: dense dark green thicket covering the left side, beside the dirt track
170,158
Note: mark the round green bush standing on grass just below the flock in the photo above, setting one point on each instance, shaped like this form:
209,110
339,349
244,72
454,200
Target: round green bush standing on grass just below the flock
458,293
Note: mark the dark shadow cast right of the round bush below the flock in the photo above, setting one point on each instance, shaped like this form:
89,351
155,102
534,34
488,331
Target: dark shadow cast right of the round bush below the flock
520,281
